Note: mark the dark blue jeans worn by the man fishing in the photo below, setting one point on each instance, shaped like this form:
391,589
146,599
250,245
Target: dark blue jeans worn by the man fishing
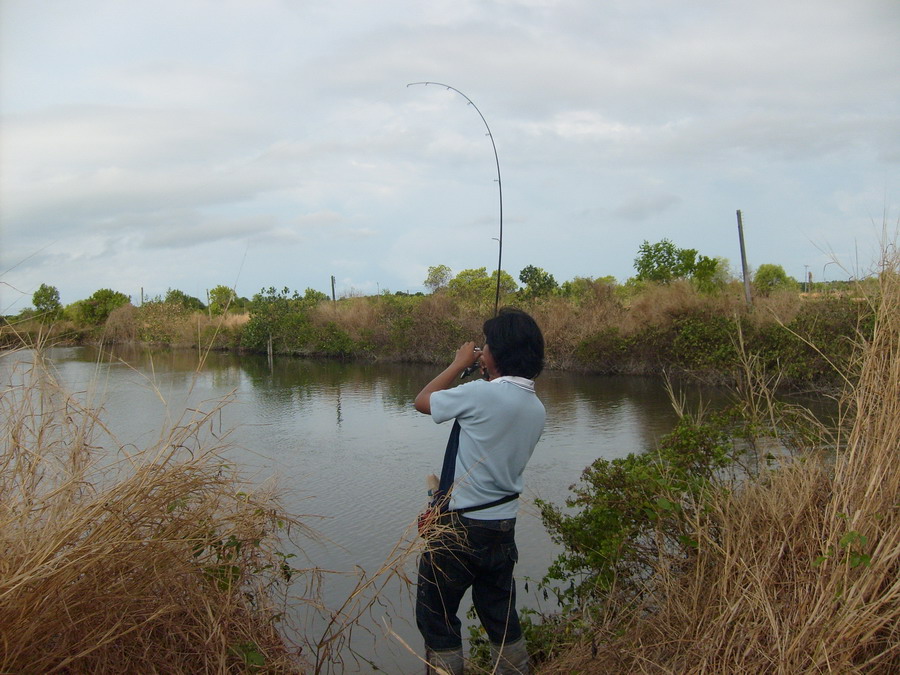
476,553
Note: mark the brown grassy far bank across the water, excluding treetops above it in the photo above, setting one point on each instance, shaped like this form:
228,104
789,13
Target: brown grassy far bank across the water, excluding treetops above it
602,329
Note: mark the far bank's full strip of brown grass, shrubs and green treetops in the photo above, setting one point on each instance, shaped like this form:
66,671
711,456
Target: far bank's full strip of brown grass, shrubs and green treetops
681,312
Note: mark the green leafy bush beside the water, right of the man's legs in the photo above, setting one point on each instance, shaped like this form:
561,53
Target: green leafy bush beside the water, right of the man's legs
625,512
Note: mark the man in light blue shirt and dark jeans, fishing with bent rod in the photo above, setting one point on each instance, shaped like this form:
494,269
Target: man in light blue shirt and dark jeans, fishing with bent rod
500,421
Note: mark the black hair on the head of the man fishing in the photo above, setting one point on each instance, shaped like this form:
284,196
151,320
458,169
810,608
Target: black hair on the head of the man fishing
516,343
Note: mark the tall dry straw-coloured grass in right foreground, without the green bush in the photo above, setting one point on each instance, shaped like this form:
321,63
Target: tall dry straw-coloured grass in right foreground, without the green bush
797,572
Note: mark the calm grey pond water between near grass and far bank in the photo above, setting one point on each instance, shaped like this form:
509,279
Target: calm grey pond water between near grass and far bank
344,442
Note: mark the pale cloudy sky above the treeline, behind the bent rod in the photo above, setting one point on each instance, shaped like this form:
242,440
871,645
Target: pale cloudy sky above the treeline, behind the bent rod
187,144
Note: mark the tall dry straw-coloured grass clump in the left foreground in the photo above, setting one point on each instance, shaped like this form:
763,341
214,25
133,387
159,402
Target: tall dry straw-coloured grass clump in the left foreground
114,559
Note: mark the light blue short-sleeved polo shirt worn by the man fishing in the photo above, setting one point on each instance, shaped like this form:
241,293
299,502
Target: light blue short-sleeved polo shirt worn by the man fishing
500,422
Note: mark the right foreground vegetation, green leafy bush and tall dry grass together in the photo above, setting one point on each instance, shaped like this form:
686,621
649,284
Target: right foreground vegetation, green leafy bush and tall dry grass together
755,540
